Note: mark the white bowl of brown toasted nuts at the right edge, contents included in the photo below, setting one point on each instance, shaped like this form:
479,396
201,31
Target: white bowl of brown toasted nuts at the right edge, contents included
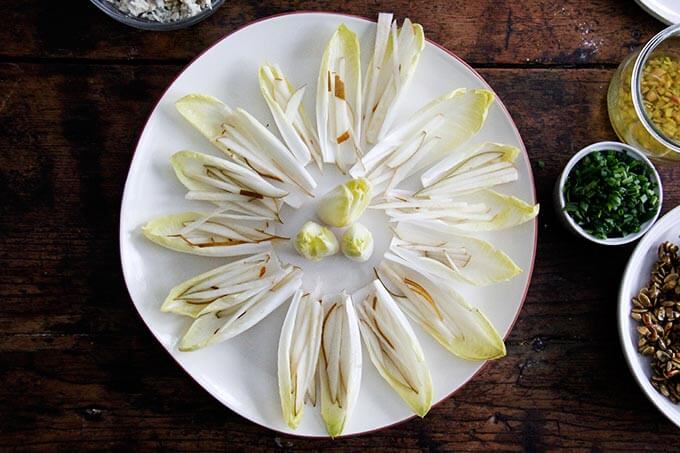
649,314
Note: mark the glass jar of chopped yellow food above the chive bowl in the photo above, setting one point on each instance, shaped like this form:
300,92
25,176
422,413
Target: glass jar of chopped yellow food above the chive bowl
644,97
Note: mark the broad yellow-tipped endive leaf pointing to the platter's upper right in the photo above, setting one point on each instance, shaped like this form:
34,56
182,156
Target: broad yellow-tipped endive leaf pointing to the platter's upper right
434,131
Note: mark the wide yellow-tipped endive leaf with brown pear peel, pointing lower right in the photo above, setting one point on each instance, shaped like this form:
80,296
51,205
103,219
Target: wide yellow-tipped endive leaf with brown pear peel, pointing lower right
443,313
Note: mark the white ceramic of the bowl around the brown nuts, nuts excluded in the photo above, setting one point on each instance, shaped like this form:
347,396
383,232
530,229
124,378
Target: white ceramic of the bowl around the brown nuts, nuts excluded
637,275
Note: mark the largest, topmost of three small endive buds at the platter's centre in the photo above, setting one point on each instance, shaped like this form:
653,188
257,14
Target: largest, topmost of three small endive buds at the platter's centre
345,204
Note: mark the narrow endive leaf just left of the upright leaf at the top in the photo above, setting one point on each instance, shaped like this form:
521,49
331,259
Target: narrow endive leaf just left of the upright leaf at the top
285,104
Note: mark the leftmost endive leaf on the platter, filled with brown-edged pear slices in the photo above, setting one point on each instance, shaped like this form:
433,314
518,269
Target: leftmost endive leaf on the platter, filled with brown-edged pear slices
207,235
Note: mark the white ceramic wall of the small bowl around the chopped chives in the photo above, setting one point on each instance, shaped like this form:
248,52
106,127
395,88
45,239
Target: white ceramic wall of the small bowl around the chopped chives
560,202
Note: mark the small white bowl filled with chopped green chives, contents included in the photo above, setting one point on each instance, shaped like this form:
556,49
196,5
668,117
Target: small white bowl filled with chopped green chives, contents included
609,193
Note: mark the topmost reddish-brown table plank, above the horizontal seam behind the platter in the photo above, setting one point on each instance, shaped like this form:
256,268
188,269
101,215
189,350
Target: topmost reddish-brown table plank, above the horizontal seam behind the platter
511,32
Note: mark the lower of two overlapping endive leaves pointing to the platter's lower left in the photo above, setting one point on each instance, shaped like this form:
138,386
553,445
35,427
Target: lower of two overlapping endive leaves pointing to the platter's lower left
222,325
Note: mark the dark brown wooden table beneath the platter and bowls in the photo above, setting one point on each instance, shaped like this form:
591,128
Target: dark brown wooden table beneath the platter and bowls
78,369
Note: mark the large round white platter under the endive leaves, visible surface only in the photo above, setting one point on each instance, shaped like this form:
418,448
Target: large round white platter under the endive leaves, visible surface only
241,372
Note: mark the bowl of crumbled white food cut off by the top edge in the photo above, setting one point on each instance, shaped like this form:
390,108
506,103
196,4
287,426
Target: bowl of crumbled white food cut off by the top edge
158,15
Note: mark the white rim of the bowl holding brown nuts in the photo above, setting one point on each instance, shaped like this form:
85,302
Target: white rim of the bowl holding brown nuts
630,352
